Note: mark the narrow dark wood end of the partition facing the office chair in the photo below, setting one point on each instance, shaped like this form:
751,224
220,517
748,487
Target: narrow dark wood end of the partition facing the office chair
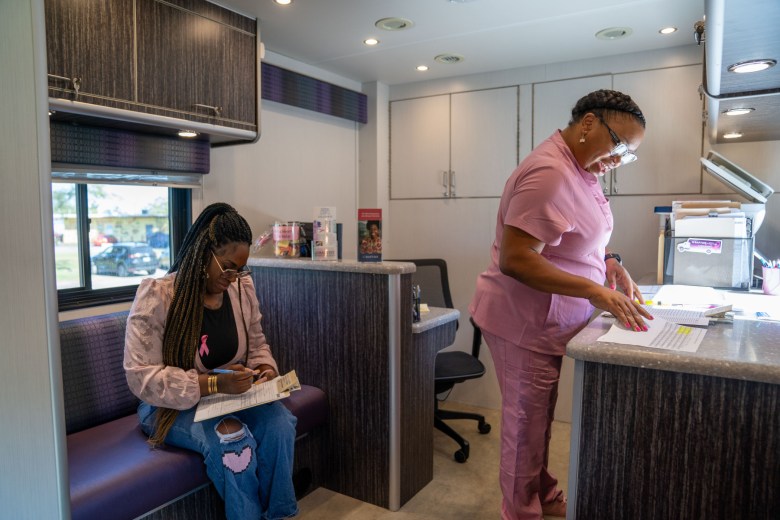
417,394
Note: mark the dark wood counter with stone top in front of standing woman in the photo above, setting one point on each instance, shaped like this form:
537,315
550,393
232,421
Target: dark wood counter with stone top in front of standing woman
667,434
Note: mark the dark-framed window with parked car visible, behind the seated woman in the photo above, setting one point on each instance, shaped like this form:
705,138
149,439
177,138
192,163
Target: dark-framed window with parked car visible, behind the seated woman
108,237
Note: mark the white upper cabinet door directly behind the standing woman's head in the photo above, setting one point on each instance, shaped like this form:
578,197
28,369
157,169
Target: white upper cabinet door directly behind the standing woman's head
553,102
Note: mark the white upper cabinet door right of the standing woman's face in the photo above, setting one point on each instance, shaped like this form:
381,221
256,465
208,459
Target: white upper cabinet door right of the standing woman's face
669,154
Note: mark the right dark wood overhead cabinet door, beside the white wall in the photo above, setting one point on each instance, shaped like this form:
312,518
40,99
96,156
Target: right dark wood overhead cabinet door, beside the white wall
185,59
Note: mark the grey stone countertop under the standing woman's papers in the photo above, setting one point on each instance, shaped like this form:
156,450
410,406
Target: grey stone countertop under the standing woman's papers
745,349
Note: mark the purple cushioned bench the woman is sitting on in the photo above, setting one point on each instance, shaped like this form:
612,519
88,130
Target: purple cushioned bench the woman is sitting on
113,471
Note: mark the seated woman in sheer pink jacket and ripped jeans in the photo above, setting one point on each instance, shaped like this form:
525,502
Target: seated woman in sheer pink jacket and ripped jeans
204,315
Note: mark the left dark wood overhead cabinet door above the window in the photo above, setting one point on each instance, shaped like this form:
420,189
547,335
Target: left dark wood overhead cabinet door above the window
93,40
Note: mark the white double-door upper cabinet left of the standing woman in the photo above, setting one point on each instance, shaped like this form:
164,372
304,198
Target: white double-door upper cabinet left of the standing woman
453,145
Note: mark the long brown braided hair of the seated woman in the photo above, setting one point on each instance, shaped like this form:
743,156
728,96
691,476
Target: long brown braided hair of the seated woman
219,224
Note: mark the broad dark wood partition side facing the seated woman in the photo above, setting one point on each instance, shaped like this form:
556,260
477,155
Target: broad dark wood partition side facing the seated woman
332,328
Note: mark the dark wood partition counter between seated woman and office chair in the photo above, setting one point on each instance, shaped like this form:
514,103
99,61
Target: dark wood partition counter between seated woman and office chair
346,327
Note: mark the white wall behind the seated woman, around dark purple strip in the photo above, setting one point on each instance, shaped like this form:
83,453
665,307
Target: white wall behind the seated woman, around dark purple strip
303,159
